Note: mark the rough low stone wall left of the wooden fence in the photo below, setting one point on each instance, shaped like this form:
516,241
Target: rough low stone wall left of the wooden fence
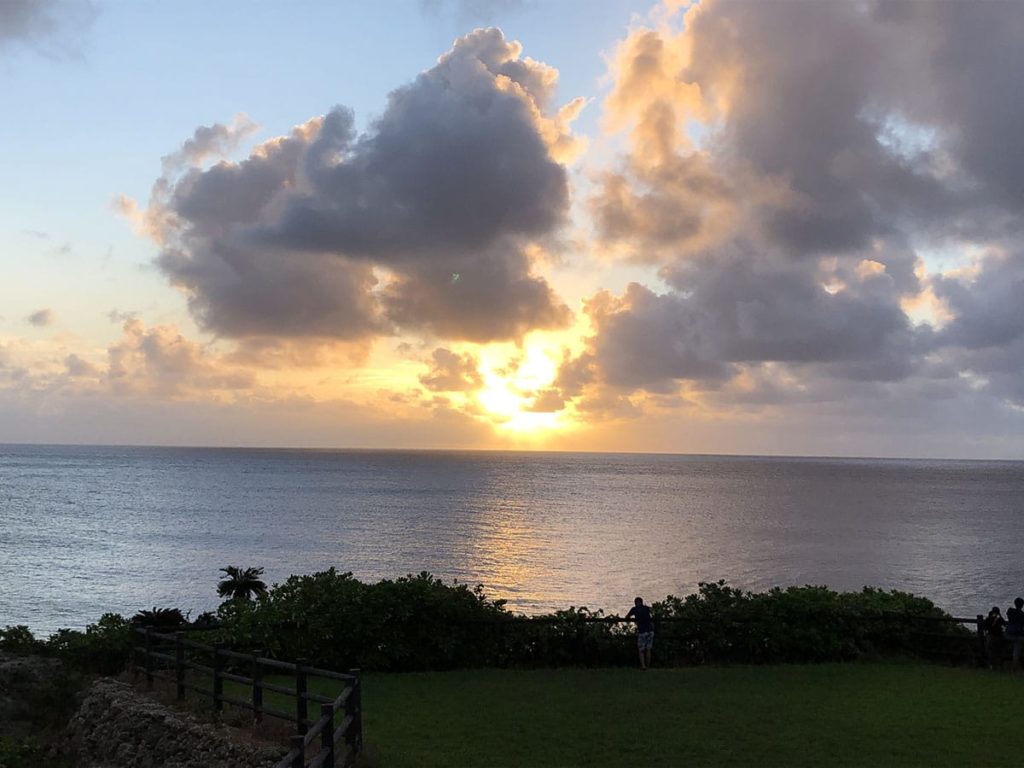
117,728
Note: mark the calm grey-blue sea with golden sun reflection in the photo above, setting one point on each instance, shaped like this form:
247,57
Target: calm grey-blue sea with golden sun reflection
86,531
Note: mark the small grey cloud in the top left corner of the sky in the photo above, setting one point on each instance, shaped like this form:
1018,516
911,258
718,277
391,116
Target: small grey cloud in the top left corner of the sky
50,26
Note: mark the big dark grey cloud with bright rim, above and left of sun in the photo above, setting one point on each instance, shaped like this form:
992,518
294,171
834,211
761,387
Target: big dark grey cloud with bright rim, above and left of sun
422,224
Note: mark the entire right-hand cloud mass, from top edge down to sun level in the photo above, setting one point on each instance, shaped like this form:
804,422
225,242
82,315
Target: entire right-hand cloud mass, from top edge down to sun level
787,167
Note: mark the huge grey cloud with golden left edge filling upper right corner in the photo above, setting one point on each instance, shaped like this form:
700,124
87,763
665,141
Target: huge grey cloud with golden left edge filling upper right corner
828,124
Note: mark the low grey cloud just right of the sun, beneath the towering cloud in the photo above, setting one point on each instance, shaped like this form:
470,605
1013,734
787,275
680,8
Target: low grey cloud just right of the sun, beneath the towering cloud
744,311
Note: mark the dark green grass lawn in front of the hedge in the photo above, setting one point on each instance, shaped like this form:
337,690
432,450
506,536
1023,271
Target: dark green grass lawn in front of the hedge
827,715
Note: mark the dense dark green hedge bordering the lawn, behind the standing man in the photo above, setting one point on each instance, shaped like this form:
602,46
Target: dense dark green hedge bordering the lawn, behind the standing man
421,623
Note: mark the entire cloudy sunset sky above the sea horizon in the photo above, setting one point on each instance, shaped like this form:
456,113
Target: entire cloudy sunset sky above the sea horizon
785,228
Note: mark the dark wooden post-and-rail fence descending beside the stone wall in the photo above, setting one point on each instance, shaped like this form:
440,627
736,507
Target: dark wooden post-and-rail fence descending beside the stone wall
173,659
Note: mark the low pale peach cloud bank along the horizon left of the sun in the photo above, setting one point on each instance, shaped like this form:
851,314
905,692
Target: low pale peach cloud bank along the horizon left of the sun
154,386
